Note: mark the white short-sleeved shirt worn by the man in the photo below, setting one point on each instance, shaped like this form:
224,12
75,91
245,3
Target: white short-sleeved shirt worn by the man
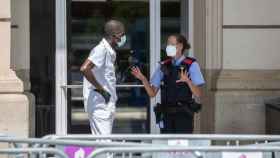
103,57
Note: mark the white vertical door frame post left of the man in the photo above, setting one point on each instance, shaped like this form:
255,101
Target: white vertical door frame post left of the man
61,67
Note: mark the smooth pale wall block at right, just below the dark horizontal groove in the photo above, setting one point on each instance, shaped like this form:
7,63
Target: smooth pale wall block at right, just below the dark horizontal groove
251,49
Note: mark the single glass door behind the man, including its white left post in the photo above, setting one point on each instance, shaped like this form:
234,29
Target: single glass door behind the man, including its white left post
84,31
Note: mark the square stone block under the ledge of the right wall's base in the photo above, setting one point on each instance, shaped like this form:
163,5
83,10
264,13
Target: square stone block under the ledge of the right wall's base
241,112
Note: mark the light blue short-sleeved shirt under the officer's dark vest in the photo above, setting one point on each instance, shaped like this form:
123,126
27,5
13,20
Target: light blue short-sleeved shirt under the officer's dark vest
194,72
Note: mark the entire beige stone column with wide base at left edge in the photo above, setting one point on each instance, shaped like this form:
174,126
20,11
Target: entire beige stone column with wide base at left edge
16,112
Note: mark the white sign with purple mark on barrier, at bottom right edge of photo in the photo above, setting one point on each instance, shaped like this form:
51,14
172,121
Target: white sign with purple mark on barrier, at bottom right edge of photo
242,155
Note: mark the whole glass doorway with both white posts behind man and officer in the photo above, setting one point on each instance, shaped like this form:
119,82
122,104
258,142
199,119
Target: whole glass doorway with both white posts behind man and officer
77,34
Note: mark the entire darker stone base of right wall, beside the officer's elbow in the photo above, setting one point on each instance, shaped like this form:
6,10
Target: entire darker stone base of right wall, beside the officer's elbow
235,100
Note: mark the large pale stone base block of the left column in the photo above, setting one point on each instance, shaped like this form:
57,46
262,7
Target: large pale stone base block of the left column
17,114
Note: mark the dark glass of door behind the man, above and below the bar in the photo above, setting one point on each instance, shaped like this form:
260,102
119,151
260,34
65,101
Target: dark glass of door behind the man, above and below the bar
87,20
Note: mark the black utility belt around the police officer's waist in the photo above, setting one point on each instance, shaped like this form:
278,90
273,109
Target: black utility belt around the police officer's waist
189,108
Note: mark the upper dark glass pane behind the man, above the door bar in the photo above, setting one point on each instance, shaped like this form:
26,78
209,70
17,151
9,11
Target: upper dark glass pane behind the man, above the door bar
87,28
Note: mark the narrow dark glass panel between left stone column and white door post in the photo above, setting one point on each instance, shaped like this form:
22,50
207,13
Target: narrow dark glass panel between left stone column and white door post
42,64
